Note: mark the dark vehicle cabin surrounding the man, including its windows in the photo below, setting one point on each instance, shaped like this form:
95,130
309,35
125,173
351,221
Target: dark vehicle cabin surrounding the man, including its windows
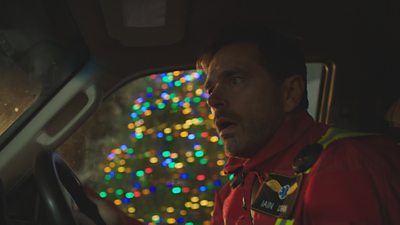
106,95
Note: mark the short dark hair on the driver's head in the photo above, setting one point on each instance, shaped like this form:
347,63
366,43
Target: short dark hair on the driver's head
281,55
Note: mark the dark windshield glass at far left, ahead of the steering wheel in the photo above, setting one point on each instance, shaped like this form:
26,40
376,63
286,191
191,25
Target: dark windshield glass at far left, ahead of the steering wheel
37,56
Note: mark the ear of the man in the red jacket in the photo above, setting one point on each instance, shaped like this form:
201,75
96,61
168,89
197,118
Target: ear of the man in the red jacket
293,89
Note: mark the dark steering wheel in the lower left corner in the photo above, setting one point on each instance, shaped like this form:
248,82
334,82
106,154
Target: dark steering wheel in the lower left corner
51,173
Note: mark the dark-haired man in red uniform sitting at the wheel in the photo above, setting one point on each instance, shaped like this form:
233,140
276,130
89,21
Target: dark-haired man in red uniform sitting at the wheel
256,82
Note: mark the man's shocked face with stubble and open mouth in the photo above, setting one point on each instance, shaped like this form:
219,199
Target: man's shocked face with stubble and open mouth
245,99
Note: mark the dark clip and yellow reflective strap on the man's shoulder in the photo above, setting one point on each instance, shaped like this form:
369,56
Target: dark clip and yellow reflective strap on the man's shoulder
310,154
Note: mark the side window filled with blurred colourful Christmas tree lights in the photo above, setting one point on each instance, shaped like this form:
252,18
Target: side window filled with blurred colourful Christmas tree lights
152,150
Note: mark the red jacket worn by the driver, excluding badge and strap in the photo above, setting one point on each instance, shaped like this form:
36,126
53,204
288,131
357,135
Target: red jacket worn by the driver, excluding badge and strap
355,181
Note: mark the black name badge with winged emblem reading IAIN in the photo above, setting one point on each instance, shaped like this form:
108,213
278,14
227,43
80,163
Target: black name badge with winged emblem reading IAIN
277,196
